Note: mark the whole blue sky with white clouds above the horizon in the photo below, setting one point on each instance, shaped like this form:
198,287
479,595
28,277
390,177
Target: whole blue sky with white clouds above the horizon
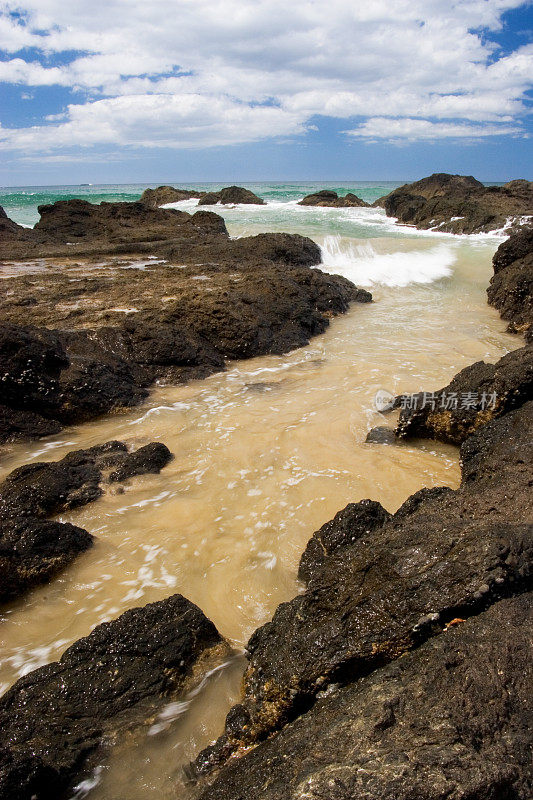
119,91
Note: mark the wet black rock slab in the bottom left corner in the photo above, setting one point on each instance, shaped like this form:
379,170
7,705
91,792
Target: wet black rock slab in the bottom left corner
57,719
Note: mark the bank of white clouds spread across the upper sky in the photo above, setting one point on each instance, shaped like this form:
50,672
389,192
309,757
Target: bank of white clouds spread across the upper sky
186,73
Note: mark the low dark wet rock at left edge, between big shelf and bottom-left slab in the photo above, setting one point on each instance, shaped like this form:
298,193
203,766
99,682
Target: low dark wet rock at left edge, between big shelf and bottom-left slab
33,549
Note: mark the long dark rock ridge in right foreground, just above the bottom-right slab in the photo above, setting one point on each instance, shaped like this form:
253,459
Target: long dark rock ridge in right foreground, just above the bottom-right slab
444,554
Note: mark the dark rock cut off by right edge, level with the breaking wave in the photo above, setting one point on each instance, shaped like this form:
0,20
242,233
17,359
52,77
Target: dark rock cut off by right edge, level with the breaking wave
511,287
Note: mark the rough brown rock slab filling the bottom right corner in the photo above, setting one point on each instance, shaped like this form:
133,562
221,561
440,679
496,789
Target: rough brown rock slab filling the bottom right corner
450,720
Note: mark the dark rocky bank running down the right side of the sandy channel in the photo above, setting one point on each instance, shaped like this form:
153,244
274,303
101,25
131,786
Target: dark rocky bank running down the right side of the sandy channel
404,612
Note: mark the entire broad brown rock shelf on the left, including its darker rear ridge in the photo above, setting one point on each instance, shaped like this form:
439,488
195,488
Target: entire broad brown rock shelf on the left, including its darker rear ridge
82,338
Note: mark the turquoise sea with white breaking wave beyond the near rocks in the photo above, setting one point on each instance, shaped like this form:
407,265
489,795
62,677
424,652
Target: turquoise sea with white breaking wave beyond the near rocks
361,243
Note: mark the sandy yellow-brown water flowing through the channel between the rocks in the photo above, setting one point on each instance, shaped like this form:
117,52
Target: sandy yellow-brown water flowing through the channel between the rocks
264,454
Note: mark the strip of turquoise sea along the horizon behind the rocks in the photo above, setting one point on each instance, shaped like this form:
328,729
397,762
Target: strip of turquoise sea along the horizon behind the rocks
21,202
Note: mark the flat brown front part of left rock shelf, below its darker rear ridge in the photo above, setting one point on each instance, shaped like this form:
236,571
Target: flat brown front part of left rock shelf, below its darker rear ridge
116,330
